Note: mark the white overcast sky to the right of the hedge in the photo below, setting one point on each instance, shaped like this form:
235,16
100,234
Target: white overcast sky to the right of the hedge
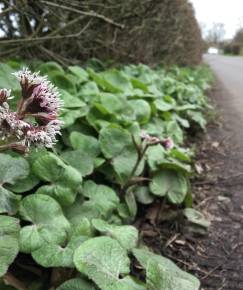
229,12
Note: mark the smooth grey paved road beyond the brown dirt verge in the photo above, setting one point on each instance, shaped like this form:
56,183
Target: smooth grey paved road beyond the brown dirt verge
229,71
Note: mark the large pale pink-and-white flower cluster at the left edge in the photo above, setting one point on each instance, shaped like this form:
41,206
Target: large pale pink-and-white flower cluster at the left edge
39,103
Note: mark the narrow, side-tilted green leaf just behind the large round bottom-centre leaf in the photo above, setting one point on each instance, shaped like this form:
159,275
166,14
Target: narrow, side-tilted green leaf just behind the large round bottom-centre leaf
127,236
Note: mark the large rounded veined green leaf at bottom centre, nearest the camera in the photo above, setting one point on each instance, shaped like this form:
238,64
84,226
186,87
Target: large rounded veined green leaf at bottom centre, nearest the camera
103,260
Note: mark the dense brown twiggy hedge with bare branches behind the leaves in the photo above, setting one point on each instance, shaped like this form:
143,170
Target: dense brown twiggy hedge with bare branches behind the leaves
124,31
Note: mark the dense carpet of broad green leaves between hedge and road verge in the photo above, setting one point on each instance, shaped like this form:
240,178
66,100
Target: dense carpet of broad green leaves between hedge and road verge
66,214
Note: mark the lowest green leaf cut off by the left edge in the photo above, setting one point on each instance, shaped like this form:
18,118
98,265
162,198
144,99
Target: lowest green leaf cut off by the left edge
9,246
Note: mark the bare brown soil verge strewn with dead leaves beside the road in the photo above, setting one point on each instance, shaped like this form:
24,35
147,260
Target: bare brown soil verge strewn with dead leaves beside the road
216,257
